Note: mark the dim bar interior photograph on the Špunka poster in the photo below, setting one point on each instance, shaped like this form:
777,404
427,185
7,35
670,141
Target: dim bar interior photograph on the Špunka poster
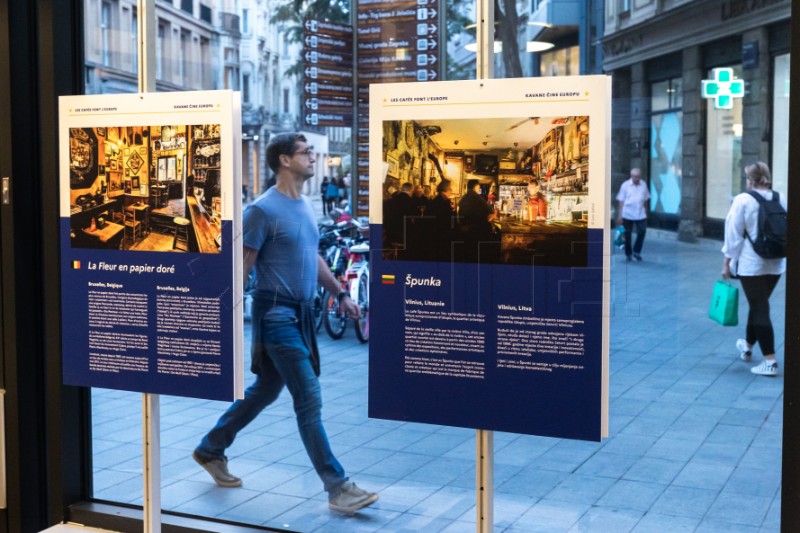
504,190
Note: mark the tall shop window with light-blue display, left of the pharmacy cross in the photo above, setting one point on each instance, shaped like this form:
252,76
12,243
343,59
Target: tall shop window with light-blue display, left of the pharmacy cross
666,152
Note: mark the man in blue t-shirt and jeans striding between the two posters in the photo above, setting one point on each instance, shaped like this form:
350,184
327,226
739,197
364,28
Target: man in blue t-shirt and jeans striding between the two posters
280,239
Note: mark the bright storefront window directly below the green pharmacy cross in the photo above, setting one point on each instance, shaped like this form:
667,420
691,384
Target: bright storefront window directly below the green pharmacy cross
723,154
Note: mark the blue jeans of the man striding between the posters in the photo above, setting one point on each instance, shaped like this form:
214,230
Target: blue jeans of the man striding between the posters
287,363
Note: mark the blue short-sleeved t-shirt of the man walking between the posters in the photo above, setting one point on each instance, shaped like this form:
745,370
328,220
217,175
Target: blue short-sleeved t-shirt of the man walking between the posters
285,233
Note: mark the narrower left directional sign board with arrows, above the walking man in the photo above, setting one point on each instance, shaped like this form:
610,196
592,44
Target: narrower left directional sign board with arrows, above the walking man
328,73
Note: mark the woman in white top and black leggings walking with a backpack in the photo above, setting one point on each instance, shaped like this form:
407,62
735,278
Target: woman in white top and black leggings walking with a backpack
758,275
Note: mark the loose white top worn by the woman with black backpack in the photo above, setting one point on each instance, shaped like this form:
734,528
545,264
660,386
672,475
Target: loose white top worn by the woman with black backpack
743,216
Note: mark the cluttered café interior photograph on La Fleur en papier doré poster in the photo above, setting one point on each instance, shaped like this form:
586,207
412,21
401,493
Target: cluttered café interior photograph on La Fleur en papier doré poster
146,188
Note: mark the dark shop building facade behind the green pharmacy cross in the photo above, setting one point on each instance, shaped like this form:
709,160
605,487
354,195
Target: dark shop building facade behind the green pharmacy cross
693,149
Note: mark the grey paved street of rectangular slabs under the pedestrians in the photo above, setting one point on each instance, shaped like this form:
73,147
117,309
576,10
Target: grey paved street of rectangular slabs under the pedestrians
695,439
